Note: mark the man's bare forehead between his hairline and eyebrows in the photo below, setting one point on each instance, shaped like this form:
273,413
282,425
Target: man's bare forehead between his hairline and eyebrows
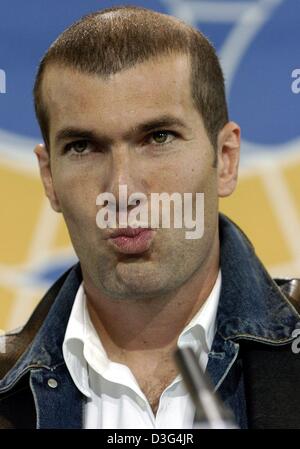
159,85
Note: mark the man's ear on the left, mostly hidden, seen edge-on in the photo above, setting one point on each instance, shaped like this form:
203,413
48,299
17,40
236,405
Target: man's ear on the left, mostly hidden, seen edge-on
43,158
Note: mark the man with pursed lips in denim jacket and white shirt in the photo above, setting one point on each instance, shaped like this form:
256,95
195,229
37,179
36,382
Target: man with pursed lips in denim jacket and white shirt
129,97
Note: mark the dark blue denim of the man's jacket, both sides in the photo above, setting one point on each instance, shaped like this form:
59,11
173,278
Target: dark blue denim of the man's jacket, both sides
251,308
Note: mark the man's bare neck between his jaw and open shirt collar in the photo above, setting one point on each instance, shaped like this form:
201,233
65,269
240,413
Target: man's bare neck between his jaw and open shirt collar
150,323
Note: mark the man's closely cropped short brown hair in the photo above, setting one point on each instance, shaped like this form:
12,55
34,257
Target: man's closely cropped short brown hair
113,39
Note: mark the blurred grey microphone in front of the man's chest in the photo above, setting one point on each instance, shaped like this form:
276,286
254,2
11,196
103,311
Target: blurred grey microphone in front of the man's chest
211,413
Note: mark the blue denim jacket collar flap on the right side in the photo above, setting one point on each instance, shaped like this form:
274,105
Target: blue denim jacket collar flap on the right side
251,304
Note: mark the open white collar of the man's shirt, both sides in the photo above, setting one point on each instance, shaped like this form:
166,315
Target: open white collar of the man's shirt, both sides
82,347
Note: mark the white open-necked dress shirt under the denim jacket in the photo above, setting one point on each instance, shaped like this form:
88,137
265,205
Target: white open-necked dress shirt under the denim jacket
114,399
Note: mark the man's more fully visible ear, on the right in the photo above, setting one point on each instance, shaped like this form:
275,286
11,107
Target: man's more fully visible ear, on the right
228,158
